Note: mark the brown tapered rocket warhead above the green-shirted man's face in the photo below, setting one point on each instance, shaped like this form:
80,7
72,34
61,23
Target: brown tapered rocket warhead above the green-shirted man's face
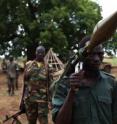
103,30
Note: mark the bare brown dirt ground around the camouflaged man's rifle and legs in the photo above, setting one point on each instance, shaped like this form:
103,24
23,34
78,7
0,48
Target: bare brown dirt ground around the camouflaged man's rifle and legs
9,104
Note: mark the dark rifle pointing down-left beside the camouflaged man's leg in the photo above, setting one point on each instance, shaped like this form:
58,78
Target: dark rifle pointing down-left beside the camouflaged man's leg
14,117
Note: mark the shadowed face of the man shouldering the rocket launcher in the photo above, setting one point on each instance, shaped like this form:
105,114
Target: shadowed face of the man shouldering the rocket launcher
94,58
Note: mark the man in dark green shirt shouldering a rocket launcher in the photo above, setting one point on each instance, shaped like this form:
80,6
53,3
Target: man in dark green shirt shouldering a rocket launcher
86,97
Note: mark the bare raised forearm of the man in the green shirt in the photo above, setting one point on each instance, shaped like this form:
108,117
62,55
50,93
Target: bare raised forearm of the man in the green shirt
65,114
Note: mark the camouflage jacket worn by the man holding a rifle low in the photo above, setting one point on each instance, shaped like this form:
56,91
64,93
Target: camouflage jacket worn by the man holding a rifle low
37,84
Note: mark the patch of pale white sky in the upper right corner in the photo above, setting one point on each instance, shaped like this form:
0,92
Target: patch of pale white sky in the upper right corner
108,7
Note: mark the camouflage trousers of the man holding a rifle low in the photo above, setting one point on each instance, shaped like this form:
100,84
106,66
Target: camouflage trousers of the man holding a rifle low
36,111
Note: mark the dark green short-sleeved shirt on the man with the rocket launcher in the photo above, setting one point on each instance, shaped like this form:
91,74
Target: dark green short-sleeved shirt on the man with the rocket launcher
92,105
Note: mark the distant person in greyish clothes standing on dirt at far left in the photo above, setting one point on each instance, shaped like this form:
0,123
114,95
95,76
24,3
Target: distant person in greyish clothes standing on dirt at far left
11,73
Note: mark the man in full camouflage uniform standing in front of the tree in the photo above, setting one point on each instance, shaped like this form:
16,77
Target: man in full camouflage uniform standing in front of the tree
36,87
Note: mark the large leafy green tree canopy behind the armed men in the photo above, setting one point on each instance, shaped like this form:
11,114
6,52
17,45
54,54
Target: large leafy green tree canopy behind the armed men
53,23
